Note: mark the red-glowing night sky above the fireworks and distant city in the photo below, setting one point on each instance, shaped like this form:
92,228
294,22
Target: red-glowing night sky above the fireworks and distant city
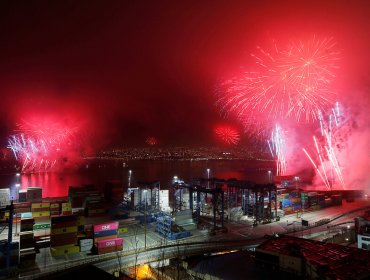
128,70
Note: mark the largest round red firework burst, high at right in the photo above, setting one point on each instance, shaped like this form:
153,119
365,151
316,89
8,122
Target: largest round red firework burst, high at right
291,83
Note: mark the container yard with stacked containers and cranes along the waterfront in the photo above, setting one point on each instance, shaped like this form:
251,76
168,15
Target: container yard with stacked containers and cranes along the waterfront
87,223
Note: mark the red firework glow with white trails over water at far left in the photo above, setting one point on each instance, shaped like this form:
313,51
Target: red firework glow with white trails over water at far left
38,146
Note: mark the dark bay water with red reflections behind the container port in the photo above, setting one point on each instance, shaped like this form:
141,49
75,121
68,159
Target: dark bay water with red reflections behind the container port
55,184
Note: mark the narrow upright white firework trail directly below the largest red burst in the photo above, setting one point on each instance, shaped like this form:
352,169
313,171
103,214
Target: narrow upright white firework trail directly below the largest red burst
277,147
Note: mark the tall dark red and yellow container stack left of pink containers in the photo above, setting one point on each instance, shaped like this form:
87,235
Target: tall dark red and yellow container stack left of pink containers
63,235
